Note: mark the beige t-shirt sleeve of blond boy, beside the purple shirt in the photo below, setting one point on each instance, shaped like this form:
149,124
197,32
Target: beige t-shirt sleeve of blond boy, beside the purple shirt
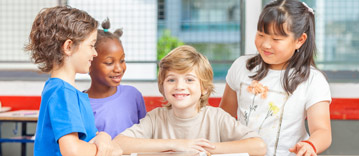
142,130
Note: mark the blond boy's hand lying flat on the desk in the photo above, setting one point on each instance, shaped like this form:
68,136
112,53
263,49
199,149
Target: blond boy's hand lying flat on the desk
197,145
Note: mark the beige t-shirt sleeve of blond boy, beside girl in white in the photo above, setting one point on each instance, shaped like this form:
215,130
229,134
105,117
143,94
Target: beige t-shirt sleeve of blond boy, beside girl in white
231,129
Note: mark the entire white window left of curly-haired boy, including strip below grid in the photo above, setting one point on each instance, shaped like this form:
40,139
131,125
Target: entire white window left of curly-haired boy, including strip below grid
16,19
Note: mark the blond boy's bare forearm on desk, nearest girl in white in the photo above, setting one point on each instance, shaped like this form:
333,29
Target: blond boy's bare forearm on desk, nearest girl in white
252,146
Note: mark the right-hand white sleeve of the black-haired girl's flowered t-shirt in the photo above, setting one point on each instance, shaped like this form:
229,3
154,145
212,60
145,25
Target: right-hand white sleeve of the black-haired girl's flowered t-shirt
318,89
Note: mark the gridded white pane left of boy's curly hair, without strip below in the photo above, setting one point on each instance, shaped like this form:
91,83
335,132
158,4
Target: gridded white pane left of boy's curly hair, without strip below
16,19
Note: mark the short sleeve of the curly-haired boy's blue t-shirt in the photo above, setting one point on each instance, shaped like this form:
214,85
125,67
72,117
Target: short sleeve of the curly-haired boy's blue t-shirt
65,116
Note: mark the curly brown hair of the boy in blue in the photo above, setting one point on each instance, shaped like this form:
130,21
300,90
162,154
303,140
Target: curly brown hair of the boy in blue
51,28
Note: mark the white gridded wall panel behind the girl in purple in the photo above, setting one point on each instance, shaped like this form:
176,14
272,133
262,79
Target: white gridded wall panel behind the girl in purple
138,19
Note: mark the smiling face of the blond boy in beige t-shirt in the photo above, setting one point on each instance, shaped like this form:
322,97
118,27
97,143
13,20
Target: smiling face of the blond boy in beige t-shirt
182,90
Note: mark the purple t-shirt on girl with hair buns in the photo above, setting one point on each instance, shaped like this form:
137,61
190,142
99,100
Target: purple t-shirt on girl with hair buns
119,111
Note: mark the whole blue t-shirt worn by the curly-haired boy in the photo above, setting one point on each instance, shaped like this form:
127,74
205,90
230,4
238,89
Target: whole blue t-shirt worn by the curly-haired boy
63,110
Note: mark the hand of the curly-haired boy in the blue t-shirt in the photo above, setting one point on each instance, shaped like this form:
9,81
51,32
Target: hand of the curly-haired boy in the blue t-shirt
103,142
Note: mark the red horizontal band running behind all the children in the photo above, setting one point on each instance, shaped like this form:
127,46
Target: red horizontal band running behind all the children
340,109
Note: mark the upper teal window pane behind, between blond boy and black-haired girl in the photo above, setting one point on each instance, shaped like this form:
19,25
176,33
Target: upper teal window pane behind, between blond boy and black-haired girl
210,15
